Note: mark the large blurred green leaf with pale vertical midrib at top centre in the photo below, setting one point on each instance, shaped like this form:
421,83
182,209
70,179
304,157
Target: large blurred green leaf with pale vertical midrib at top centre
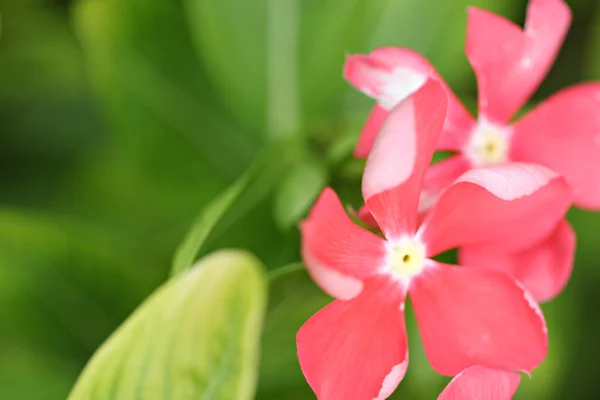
277,63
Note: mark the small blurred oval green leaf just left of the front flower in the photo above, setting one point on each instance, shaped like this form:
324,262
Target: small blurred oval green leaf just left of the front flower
298,191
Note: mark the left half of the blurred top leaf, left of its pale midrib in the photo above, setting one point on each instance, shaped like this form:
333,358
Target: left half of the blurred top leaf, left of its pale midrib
230,37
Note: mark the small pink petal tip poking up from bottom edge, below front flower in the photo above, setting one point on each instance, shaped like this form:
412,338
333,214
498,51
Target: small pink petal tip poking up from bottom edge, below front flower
481,383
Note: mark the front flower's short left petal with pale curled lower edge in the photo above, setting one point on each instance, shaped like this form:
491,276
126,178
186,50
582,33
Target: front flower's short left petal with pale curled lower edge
338,253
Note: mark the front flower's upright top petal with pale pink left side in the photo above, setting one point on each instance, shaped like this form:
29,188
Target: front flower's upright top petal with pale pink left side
402,151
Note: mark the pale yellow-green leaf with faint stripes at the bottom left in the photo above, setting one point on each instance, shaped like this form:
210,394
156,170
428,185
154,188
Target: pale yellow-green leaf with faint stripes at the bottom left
196,337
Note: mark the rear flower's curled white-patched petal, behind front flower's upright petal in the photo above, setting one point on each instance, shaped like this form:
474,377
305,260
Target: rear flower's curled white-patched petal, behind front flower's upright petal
391,74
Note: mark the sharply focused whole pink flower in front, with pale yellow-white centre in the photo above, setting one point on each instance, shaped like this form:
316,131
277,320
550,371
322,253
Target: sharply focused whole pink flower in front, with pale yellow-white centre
356,347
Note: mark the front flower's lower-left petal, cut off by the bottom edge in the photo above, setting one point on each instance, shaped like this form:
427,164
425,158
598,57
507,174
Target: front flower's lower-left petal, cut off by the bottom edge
357,349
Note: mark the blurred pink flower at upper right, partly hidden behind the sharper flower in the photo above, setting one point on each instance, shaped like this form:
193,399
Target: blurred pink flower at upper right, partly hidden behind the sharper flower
563,133
